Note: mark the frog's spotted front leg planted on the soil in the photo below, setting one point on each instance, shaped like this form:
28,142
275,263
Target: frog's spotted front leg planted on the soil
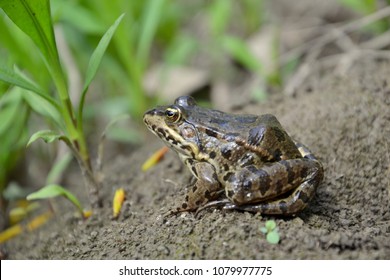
206,188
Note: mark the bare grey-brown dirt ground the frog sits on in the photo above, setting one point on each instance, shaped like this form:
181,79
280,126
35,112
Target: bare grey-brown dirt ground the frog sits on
344,119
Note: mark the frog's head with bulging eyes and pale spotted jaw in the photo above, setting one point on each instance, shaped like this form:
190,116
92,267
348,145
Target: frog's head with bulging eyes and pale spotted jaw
173,125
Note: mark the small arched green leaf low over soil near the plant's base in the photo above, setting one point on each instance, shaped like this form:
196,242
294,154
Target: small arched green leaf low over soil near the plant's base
54,190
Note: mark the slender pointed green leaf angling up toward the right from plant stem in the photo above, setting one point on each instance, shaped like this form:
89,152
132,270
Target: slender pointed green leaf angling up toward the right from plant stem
94,62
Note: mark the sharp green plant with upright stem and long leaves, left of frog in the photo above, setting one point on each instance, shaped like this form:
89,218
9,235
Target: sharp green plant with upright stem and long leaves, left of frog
35,20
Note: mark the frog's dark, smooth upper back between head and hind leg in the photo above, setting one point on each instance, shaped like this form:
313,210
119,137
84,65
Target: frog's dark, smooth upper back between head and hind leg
263,135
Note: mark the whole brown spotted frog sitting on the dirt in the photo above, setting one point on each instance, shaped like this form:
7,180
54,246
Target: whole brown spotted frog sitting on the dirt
241,162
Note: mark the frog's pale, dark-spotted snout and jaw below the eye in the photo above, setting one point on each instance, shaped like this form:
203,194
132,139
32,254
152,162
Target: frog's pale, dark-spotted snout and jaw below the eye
155,122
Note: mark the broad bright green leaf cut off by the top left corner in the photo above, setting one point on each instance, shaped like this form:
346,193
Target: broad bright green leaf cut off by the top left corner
33,18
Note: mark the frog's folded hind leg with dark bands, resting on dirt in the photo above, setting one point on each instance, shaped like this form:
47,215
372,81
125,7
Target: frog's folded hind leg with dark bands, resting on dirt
283,187
